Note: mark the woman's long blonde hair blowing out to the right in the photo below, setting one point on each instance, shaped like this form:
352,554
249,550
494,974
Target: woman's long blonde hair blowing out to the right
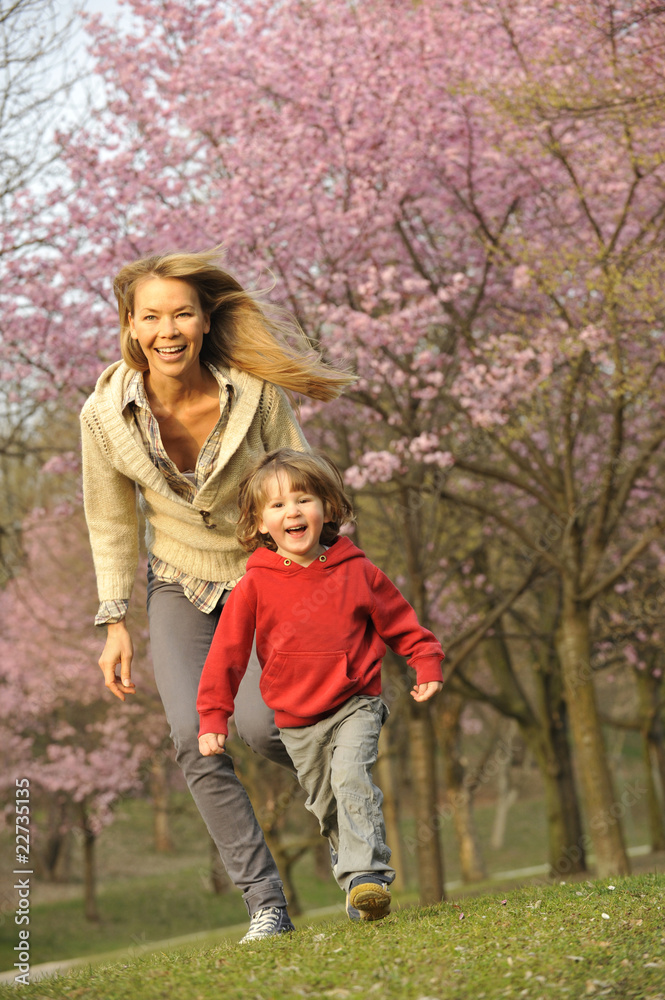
259,339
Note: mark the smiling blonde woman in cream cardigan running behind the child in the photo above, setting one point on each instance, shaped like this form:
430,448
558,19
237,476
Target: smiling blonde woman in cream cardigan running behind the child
200,393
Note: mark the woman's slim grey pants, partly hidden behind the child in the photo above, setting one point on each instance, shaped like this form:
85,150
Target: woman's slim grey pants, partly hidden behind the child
180,636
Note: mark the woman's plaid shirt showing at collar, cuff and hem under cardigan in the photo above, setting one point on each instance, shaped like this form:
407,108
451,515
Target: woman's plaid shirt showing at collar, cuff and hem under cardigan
203,594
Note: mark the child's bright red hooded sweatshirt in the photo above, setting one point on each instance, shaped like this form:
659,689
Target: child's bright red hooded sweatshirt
320,632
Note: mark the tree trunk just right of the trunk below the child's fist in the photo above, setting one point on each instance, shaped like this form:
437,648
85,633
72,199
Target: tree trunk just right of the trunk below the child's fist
460,794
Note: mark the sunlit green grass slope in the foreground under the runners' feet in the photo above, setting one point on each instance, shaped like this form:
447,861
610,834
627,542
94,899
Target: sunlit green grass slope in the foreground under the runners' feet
570,941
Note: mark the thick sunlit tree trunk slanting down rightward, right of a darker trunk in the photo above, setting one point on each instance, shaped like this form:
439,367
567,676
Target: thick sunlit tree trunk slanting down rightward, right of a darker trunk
603,812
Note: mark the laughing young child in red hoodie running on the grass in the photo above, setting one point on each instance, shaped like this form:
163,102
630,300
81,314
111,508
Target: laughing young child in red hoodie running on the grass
321,612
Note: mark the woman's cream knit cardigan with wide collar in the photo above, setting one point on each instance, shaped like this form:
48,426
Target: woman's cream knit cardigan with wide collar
198,537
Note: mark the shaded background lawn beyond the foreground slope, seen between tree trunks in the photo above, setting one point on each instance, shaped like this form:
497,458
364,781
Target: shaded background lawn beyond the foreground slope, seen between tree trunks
170,895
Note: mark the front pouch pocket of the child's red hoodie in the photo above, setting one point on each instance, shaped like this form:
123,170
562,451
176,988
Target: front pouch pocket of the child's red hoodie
306,684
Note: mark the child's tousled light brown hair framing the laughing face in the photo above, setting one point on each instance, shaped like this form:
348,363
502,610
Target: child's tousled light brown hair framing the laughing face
311,472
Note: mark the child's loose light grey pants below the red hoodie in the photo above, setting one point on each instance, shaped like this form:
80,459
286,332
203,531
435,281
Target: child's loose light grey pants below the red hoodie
334,760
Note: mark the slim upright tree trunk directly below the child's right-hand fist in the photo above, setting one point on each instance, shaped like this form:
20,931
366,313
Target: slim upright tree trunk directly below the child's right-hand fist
423,777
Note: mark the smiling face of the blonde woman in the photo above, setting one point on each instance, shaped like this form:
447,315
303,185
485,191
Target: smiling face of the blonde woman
169,324
